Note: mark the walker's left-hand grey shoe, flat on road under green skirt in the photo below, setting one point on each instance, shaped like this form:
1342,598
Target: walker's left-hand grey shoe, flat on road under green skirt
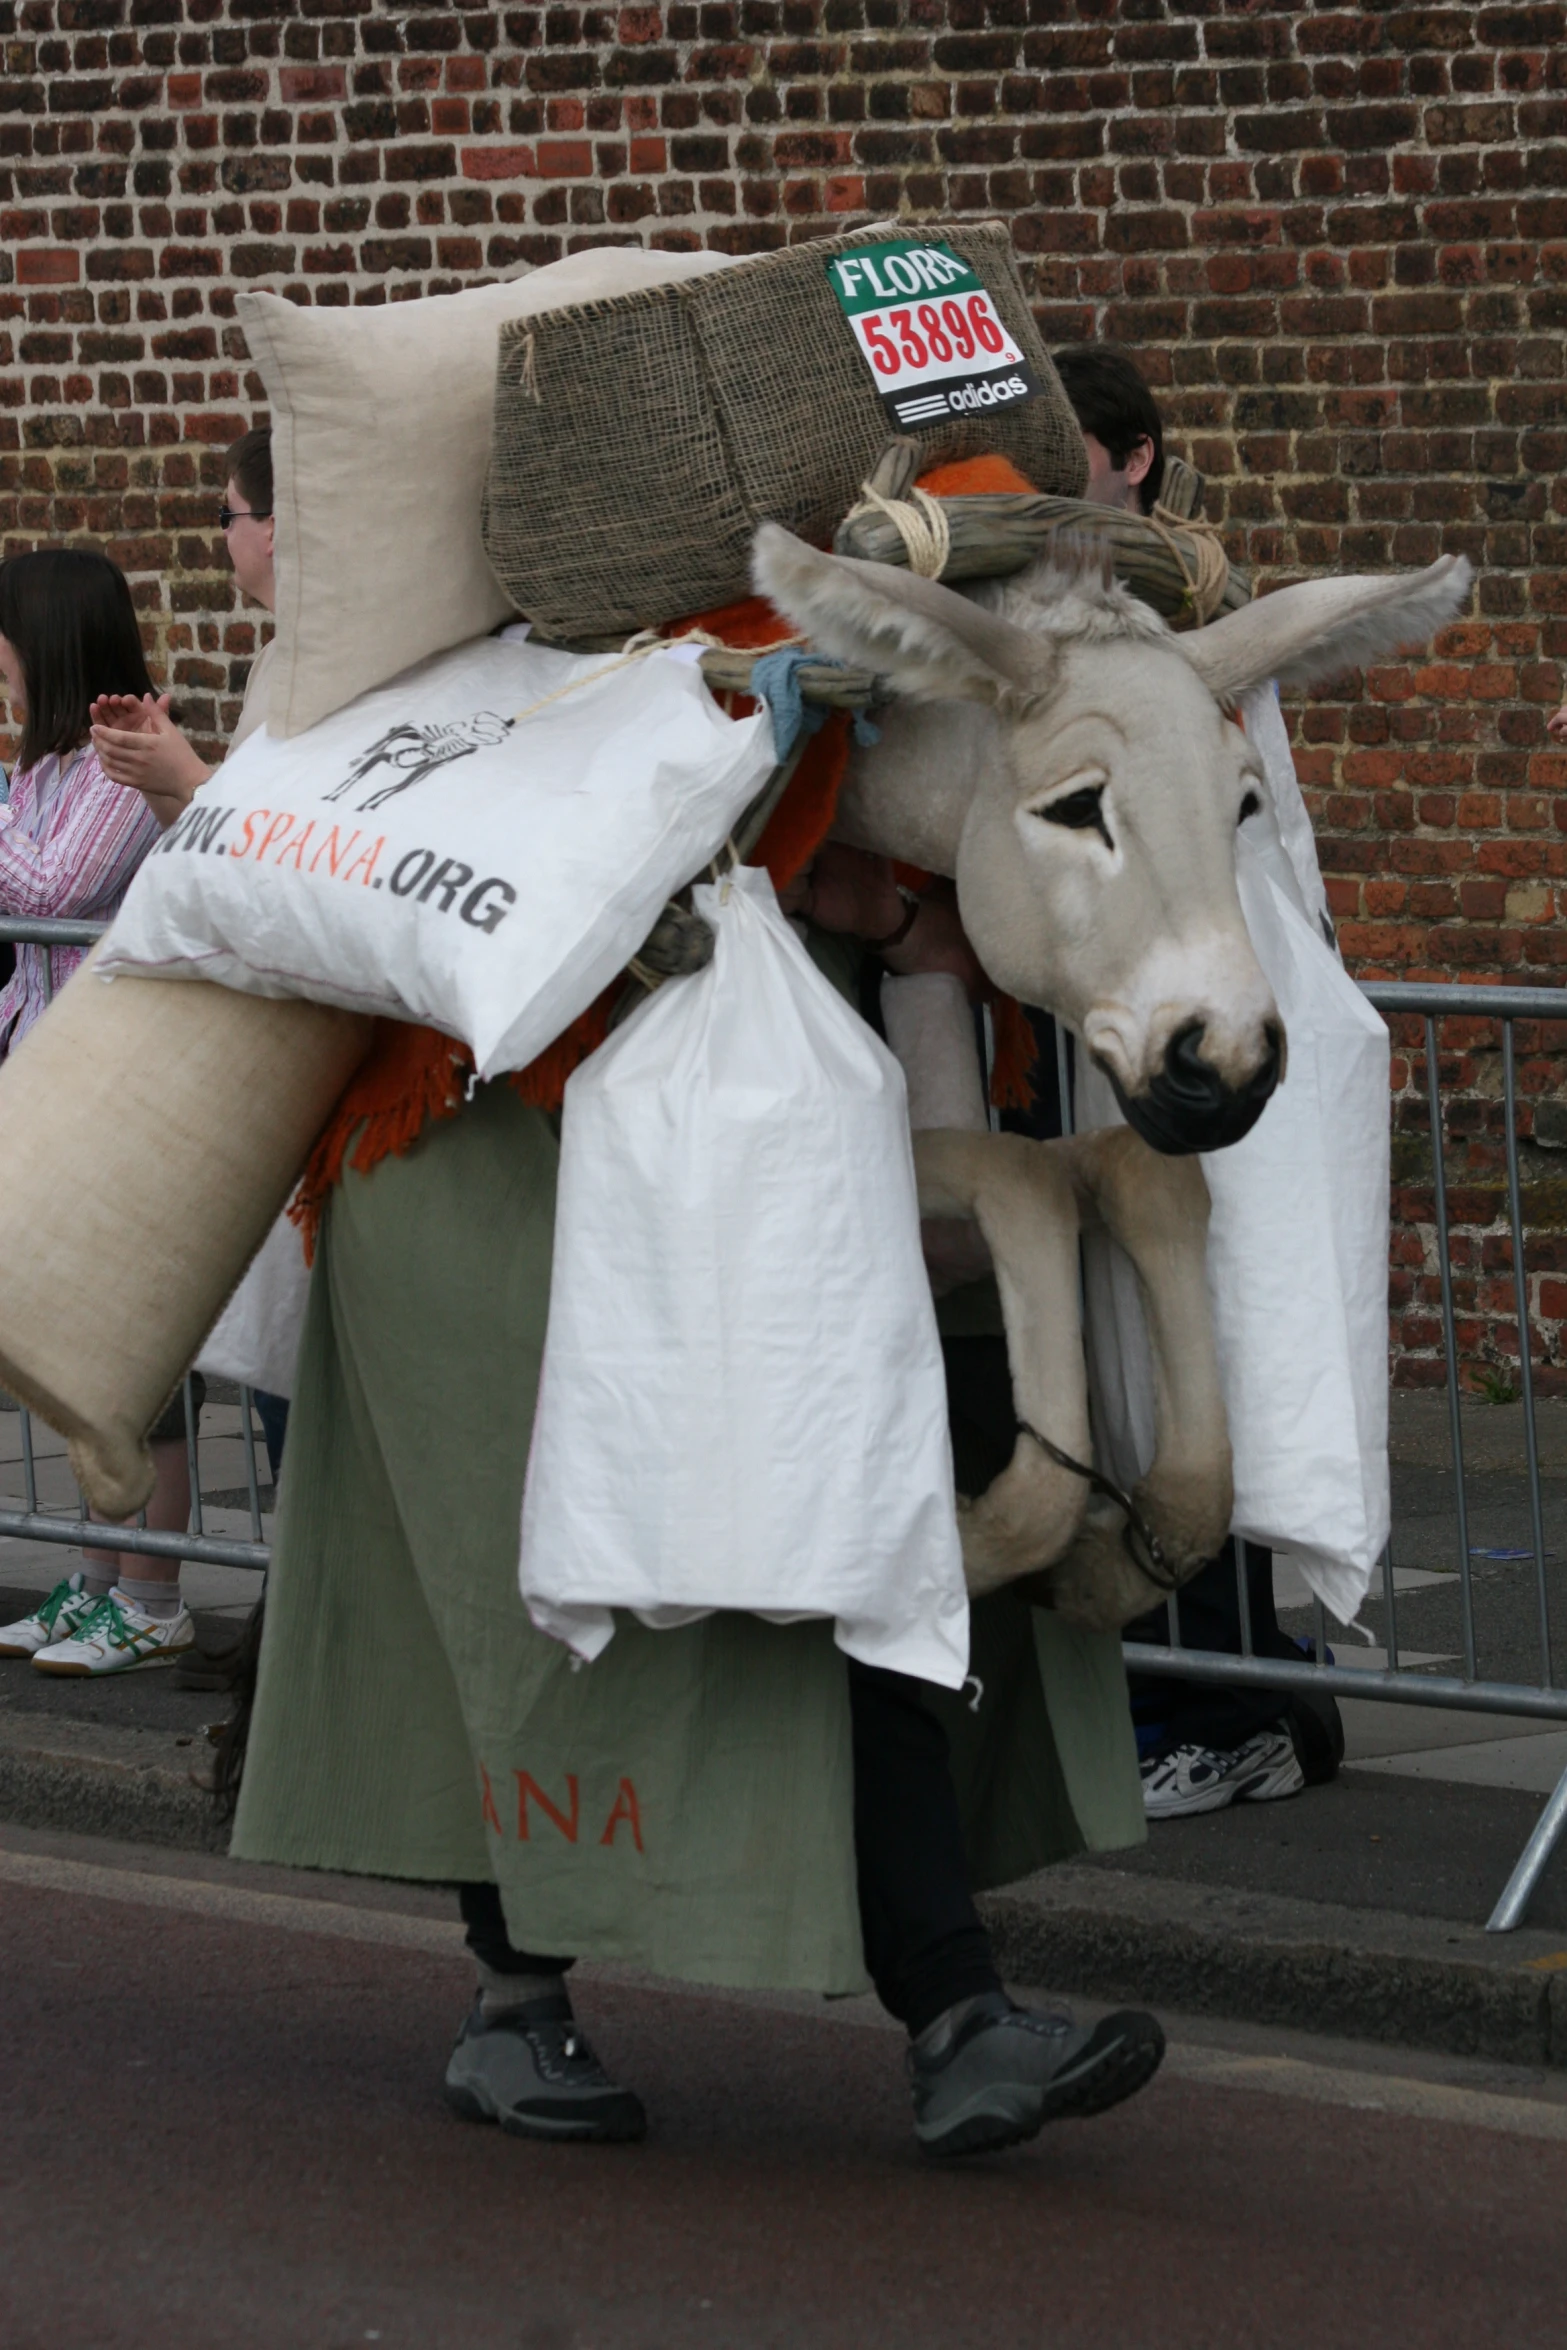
534,2074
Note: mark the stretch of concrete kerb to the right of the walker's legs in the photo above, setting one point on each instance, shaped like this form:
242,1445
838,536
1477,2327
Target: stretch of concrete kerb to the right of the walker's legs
1260,1959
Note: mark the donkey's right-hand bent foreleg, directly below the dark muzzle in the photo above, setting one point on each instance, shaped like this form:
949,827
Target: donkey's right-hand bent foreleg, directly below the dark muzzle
1157,1209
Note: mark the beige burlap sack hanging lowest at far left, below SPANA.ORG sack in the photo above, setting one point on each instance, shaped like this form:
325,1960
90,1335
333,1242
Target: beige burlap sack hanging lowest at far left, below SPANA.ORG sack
149,1136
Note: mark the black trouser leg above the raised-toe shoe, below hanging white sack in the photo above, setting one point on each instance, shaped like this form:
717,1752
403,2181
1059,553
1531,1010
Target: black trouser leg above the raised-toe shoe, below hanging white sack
924,1945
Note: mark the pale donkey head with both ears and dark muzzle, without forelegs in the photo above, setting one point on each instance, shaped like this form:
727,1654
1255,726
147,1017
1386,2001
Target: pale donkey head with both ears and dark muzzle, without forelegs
1089,805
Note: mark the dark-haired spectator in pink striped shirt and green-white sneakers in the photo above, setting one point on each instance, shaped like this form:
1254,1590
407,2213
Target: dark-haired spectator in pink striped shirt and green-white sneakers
69,845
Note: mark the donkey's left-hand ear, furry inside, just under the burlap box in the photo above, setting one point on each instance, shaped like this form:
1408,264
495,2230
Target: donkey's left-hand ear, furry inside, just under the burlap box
922,638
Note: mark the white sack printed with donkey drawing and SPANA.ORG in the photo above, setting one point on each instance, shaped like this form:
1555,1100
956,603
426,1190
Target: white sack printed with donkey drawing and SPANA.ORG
436,854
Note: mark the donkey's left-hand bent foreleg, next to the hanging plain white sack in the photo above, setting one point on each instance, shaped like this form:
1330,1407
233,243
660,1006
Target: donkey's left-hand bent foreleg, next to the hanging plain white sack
1030,1221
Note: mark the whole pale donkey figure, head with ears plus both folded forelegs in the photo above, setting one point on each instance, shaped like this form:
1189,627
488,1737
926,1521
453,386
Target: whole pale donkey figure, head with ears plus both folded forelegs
1072,763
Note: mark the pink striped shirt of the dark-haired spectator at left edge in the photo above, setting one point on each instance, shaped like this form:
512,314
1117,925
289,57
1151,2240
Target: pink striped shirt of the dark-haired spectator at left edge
69,847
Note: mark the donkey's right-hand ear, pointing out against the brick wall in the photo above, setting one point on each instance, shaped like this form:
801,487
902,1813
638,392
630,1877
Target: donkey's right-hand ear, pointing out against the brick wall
1317,631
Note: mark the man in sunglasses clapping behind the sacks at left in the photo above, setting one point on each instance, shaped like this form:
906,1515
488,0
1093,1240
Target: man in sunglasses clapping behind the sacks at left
137,741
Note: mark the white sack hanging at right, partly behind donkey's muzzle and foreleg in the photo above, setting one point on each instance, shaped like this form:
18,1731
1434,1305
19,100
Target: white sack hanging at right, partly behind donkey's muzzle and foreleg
1298,1273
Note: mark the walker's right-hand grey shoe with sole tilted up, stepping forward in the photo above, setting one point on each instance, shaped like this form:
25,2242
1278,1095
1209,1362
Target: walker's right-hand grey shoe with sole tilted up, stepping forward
990,2074
